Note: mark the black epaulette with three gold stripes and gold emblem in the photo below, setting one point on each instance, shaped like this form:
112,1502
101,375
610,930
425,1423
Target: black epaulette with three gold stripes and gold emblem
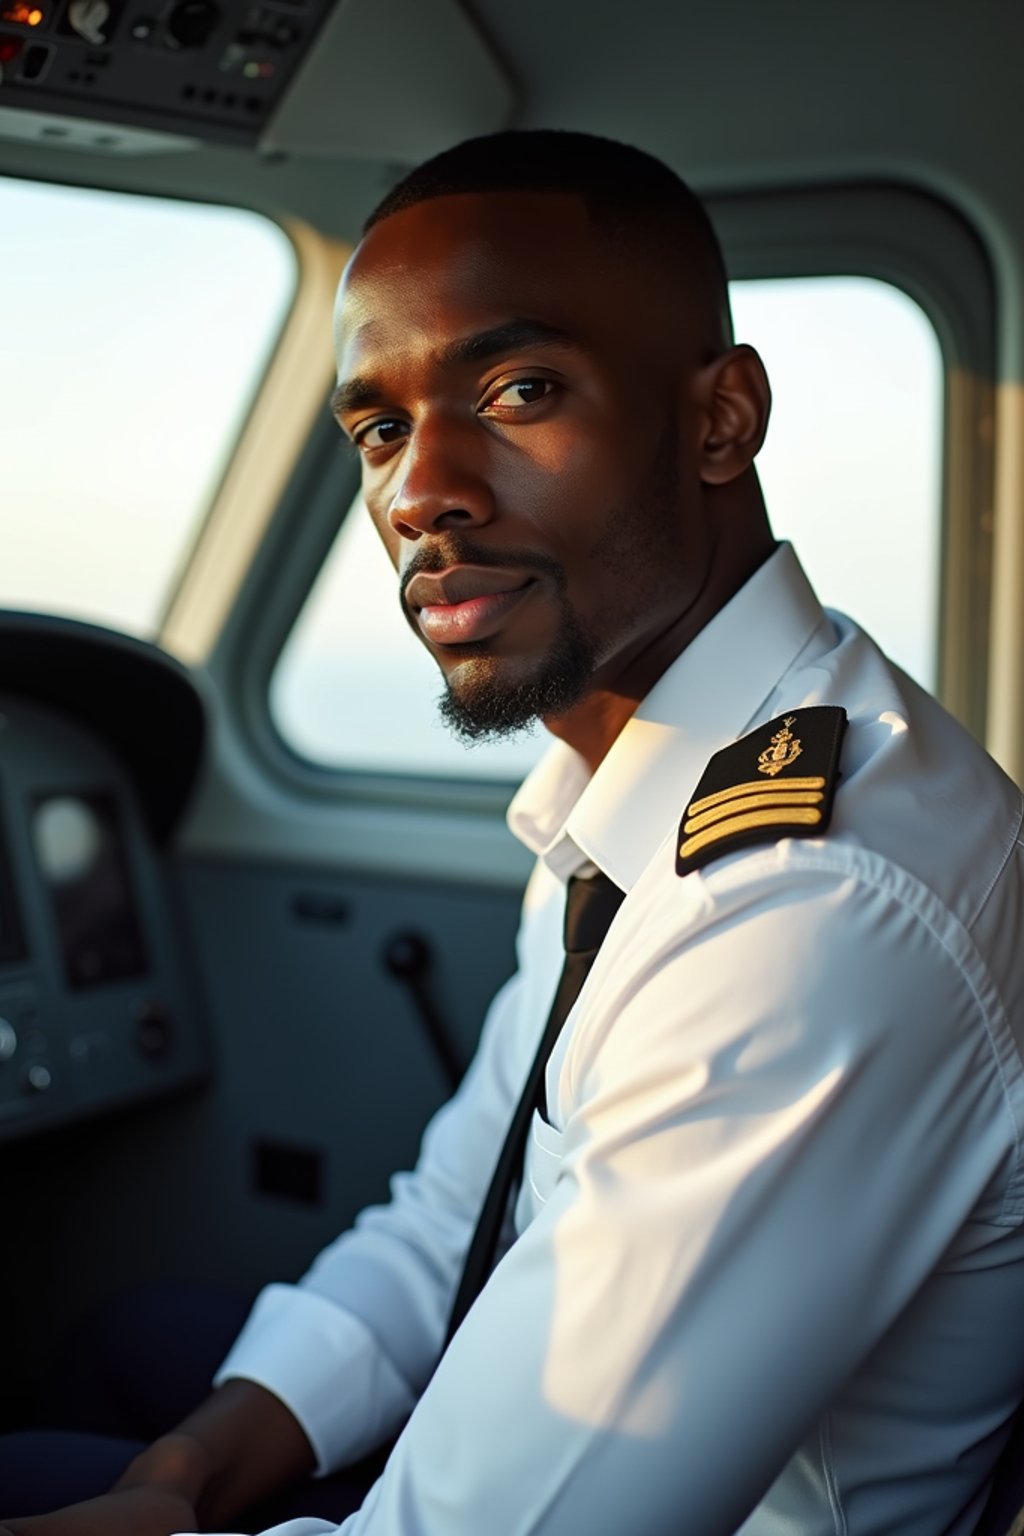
776,783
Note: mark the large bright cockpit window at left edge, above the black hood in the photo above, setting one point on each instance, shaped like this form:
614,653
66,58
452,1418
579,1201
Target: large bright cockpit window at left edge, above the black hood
134,337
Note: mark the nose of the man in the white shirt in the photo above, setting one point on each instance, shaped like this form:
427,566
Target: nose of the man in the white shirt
443,486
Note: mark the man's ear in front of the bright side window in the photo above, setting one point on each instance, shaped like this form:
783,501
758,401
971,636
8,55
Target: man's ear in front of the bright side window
733,402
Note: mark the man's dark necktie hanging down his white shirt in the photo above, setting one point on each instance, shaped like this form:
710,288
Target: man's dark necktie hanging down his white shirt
590,907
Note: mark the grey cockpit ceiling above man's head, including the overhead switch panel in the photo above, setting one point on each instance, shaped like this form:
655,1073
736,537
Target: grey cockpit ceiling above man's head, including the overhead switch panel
736,96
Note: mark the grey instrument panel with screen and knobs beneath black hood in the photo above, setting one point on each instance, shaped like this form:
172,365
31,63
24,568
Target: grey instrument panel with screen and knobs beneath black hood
97,1002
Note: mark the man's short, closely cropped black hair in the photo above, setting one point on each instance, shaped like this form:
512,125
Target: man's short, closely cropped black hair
630,196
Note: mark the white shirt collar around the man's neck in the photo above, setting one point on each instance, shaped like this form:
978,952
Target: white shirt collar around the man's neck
712,694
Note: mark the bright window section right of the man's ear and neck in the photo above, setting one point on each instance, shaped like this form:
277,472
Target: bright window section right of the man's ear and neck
853,462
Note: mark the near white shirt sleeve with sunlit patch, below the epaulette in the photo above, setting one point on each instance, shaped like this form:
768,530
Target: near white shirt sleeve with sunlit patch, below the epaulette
779,1121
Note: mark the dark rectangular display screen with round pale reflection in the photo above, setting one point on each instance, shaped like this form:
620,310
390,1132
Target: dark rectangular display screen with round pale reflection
82,859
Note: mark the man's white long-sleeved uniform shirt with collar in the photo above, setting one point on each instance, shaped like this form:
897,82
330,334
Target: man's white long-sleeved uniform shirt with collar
770,1260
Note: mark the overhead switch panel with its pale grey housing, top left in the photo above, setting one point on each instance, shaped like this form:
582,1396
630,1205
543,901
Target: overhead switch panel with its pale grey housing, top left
337,79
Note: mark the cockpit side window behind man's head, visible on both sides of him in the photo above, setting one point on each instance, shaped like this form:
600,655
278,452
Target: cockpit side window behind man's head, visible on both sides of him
851,474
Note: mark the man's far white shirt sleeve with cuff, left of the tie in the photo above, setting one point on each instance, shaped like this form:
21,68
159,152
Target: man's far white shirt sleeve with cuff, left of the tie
352,1345
